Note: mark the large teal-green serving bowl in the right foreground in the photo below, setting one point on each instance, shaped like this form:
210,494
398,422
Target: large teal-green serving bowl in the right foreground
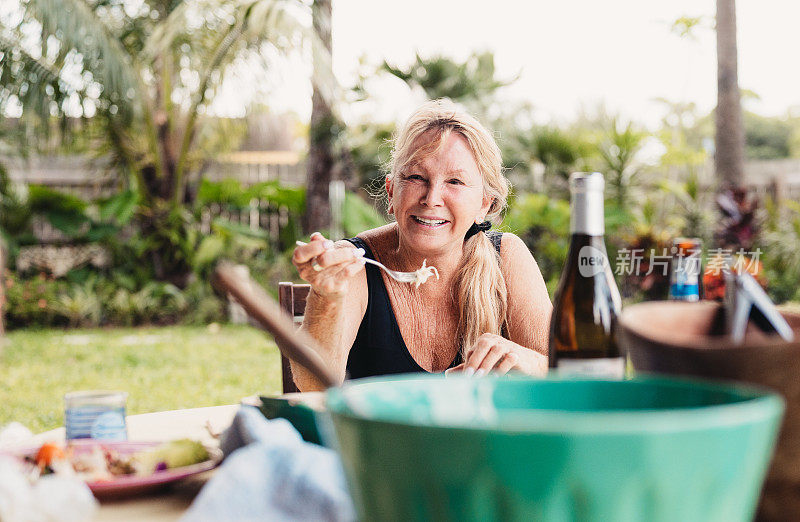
430,448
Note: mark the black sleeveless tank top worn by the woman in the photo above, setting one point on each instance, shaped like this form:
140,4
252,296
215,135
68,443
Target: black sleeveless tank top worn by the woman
379,348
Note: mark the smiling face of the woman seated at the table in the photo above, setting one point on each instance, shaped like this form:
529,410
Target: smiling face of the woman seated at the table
436,200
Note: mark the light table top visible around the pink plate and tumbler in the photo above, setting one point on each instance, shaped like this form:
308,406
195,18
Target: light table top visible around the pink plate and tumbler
163,425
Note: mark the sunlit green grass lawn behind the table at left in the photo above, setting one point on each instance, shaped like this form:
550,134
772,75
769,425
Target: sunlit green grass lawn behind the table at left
161,368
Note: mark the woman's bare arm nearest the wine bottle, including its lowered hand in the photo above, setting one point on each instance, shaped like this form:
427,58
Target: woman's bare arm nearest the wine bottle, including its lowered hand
528,319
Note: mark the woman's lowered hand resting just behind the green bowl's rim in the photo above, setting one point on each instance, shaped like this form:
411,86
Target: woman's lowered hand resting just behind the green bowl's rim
496,354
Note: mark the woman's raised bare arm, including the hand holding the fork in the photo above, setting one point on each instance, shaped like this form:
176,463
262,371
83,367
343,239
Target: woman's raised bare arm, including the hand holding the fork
335,305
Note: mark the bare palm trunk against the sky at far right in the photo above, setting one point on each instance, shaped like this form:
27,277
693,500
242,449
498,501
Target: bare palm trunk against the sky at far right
729,156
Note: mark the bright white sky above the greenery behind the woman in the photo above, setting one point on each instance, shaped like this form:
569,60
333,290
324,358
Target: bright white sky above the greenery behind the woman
569,52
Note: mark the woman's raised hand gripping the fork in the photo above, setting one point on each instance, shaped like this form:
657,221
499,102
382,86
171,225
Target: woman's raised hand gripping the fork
326,268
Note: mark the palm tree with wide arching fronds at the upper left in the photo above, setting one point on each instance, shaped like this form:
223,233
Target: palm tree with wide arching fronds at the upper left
147,73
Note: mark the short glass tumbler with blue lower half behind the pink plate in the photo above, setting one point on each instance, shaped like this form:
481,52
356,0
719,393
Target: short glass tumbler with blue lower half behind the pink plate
95,415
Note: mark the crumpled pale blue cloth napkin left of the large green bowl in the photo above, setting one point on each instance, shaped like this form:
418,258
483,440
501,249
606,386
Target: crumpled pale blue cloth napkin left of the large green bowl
270,473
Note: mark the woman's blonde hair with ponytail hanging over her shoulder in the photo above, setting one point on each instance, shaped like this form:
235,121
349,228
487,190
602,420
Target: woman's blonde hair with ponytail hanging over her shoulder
480,288
